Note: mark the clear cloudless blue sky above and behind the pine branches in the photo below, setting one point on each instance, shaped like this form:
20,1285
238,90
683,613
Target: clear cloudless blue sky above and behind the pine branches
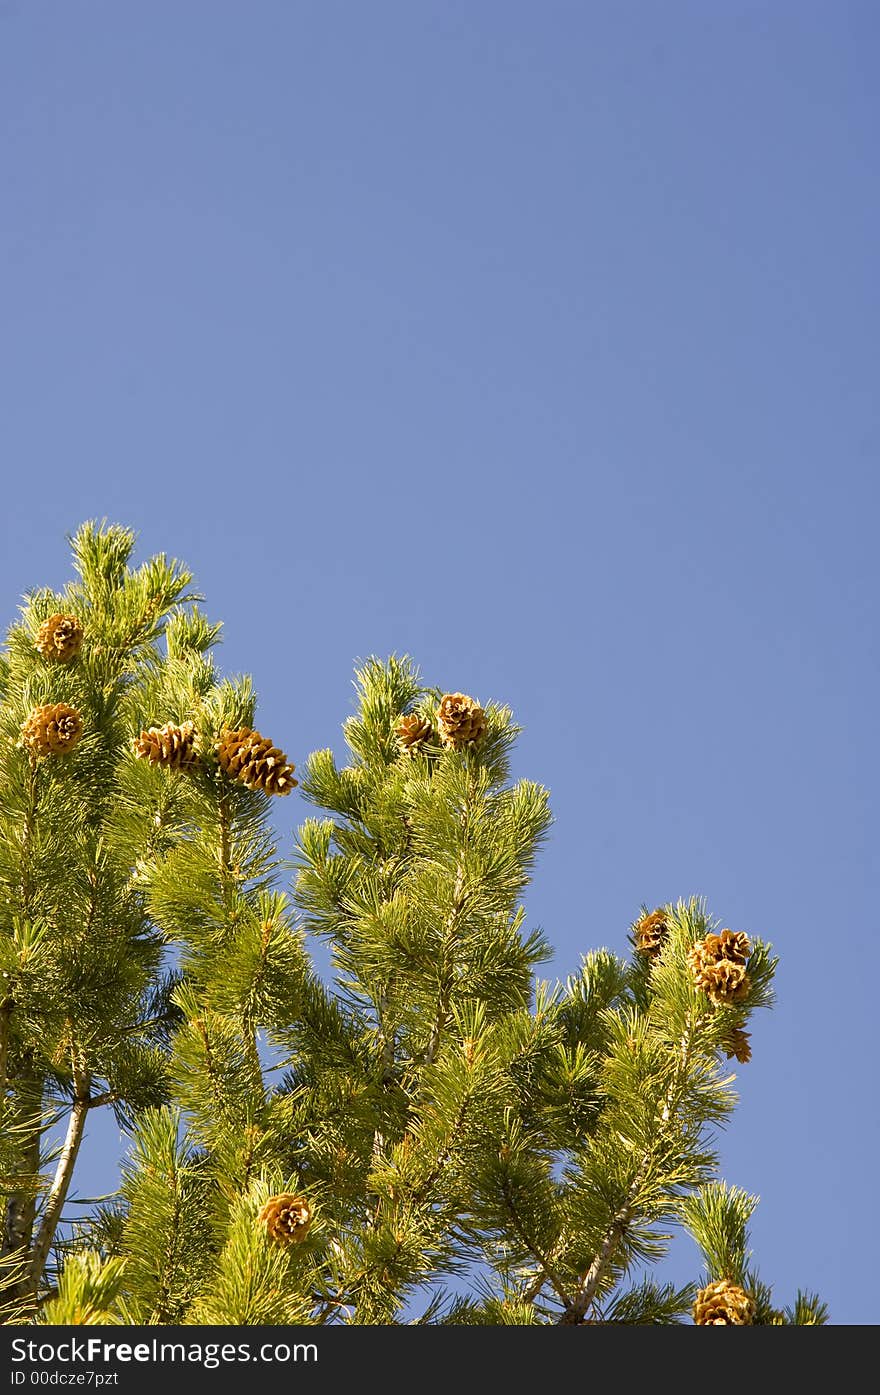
540,342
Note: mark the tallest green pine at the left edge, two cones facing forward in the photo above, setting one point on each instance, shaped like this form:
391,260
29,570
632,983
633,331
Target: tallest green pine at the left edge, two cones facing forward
86,1006
